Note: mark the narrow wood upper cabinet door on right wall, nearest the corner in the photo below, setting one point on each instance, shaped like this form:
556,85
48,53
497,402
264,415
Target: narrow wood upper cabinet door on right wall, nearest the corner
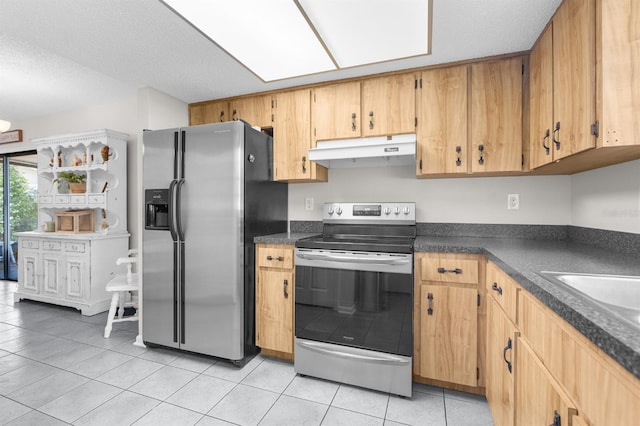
541,100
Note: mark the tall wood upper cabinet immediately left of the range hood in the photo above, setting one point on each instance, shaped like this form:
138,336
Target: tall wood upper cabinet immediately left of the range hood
292,139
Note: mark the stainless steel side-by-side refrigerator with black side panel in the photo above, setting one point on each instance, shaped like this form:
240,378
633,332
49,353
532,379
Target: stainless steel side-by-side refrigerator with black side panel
208,192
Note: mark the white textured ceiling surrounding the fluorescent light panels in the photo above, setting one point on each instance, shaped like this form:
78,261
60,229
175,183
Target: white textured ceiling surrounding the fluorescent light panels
65,54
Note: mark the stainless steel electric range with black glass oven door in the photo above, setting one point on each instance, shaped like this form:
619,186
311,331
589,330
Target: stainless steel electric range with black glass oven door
354,297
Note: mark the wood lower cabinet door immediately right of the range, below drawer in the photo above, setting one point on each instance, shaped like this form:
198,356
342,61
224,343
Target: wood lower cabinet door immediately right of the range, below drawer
449,333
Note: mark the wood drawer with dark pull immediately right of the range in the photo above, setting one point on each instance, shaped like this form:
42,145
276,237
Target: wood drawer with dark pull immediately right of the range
449,269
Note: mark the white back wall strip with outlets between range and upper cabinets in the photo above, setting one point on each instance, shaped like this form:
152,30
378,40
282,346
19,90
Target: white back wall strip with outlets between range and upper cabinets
543,199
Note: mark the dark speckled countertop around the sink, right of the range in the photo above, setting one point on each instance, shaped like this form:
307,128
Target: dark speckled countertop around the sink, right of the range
524,259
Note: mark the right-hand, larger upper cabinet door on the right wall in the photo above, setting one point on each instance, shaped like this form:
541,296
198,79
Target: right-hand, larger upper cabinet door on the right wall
574,65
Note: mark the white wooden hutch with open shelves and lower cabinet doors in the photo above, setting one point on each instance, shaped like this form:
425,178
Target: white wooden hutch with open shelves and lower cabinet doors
58,264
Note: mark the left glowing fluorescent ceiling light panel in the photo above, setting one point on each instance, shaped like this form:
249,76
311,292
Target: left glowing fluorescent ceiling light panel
271,38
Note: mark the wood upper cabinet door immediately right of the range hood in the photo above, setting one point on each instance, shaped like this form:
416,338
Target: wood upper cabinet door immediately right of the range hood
441,106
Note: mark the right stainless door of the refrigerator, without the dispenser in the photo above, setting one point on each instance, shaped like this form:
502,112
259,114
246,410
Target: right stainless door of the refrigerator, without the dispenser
212,224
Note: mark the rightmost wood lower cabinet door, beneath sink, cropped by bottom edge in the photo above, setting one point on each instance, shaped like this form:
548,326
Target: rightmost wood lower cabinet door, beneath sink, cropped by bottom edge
539,398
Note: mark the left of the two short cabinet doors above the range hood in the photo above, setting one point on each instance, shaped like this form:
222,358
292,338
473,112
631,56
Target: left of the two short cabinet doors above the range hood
335,111
